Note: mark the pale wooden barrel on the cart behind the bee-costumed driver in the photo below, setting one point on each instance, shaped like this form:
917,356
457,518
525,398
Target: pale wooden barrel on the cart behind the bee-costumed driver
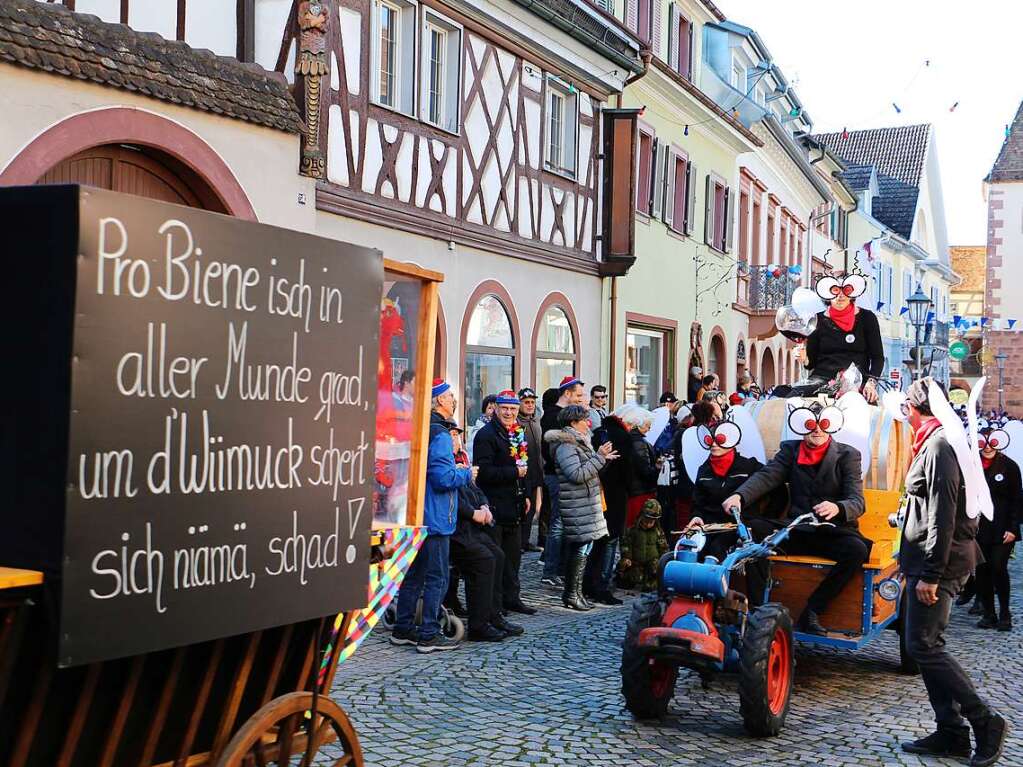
891,441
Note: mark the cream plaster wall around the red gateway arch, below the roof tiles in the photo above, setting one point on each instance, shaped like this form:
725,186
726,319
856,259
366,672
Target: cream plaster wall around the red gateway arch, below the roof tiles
264,162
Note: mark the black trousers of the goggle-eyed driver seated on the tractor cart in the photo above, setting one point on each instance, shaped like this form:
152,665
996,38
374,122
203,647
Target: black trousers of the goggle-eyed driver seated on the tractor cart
848,550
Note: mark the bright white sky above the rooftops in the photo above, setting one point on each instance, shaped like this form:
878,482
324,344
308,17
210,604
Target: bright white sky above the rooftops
851,61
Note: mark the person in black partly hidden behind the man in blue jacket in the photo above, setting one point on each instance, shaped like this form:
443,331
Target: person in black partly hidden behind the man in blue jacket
479,559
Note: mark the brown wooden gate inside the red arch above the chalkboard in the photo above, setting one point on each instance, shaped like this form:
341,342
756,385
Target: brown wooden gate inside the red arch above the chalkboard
136,170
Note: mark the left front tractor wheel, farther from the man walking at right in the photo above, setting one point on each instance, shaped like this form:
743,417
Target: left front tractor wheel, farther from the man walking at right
648,686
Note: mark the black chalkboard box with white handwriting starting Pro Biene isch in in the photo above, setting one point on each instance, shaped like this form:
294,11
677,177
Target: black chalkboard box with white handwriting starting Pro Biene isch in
202,390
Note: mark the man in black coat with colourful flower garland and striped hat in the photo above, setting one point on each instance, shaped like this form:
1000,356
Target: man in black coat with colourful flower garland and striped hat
502,456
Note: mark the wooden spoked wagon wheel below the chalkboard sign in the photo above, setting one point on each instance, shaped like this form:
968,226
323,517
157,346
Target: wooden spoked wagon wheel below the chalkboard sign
278,735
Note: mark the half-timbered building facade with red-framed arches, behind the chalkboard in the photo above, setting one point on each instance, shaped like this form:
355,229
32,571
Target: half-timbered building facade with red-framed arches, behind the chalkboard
462,137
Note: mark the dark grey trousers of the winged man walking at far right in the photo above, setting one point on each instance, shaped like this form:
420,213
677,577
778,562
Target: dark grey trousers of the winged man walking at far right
952,694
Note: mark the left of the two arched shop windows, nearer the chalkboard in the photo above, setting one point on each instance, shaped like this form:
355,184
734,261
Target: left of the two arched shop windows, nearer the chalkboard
490,354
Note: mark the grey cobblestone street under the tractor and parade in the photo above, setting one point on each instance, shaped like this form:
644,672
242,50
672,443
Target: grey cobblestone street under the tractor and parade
552,698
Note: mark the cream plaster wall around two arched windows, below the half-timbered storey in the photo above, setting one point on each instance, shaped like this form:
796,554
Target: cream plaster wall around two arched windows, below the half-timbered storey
466,268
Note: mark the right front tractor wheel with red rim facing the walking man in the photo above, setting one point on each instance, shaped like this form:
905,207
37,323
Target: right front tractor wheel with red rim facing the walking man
767,666
